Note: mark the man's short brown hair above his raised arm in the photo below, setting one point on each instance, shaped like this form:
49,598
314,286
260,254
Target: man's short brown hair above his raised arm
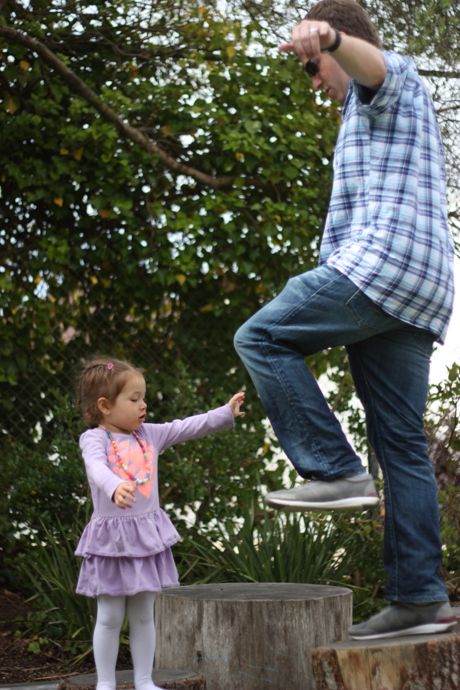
347,16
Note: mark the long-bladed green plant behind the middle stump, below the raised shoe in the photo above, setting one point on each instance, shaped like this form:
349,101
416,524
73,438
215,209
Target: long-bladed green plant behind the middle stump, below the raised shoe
342,549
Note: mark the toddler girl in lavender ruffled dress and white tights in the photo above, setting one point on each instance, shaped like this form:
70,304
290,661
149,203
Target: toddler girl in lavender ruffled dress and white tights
126,546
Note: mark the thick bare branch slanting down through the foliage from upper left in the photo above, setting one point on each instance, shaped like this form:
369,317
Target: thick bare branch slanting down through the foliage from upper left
125,129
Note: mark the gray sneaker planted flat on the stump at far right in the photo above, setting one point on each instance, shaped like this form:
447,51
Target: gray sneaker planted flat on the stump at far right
406,619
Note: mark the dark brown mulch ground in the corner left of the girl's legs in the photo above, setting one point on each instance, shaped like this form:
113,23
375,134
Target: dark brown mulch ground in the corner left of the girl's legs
17,663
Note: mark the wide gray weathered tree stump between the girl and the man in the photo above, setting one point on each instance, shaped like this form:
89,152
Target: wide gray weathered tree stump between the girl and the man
250,636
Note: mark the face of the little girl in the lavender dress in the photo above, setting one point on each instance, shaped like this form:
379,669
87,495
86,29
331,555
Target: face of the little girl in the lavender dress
128,411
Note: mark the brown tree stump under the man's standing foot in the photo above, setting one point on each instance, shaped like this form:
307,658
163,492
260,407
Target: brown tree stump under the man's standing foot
417,662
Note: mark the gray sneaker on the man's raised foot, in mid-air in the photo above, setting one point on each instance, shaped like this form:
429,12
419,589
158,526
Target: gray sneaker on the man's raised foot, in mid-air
348,493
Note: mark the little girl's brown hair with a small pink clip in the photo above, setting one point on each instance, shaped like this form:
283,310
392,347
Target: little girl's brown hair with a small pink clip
101,377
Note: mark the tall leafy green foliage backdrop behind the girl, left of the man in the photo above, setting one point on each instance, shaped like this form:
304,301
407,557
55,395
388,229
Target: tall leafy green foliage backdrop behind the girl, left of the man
103,249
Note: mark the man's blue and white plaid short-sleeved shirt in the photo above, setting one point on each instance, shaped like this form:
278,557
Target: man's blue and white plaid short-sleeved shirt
386,228
